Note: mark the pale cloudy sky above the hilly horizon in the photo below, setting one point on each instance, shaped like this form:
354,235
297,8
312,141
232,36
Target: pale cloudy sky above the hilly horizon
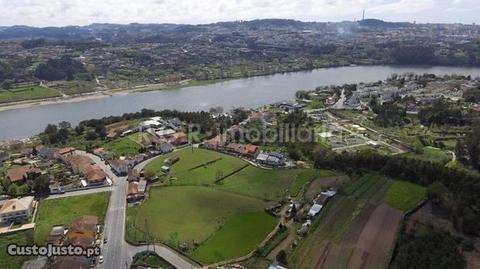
83,12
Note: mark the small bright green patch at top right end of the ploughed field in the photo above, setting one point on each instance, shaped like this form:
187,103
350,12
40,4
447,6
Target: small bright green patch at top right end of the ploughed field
404,195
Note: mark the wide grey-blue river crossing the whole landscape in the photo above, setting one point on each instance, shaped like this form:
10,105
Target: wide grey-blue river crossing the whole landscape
246,92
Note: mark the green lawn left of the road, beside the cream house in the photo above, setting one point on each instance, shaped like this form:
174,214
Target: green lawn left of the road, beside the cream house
63,211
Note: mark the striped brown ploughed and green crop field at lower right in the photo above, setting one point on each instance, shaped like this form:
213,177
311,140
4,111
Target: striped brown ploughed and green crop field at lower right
356,215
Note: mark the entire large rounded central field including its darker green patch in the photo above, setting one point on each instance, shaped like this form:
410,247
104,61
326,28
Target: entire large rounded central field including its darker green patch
214,218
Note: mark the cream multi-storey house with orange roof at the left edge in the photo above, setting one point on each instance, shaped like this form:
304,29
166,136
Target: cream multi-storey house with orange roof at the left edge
16,210
